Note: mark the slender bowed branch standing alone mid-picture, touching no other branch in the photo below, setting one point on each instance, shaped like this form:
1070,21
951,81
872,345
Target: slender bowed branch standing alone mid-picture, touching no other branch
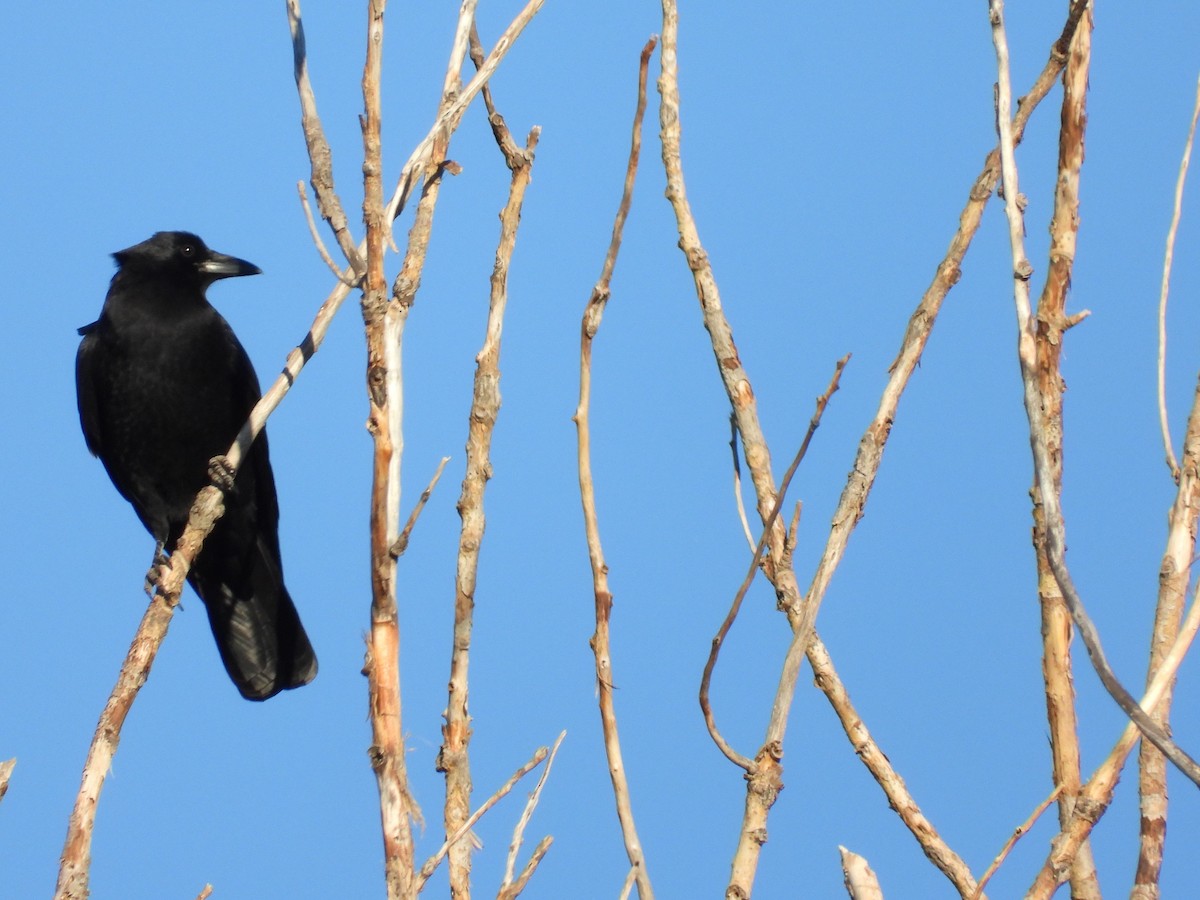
593,314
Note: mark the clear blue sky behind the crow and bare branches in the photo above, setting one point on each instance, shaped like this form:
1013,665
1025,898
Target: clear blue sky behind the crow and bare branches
827,157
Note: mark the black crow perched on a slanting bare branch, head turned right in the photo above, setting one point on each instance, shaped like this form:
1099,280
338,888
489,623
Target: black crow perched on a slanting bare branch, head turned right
164,386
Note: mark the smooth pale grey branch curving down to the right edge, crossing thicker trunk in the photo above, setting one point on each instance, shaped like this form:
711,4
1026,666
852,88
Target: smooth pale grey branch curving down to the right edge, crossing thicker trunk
1042,463
